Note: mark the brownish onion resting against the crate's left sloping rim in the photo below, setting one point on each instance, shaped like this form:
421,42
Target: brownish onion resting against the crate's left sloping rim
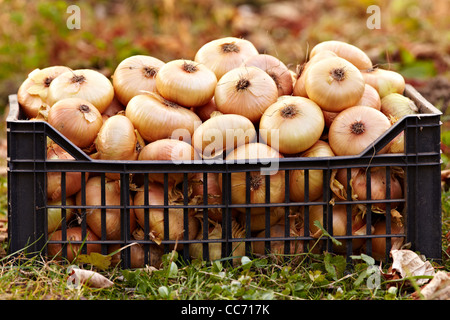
77,119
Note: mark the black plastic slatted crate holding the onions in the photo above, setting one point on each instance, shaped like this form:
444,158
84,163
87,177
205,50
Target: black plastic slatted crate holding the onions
28,205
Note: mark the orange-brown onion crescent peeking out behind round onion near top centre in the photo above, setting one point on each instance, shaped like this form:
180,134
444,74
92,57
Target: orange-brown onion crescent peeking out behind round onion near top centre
274,68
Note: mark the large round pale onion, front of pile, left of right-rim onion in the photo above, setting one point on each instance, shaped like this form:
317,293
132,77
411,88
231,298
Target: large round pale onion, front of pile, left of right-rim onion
297,123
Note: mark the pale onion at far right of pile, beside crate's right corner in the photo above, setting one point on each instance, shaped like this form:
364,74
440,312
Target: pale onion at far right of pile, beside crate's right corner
397,106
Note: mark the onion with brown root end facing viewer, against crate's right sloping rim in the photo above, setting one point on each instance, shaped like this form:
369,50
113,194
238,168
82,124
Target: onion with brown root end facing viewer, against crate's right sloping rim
355,129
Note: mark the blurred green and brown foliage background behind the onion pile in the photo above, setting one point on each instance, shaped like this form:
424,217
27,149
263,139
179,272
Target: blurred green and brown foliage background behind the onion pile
414,37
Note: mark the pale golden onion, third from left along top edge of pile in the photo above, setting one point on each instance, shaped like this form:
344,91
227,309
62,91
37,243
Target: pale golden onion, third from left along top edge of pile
134,75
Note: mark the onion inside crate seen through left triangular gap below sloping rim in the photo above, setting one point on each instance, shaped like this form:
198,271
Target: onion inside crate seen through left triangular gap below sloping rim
73,179
